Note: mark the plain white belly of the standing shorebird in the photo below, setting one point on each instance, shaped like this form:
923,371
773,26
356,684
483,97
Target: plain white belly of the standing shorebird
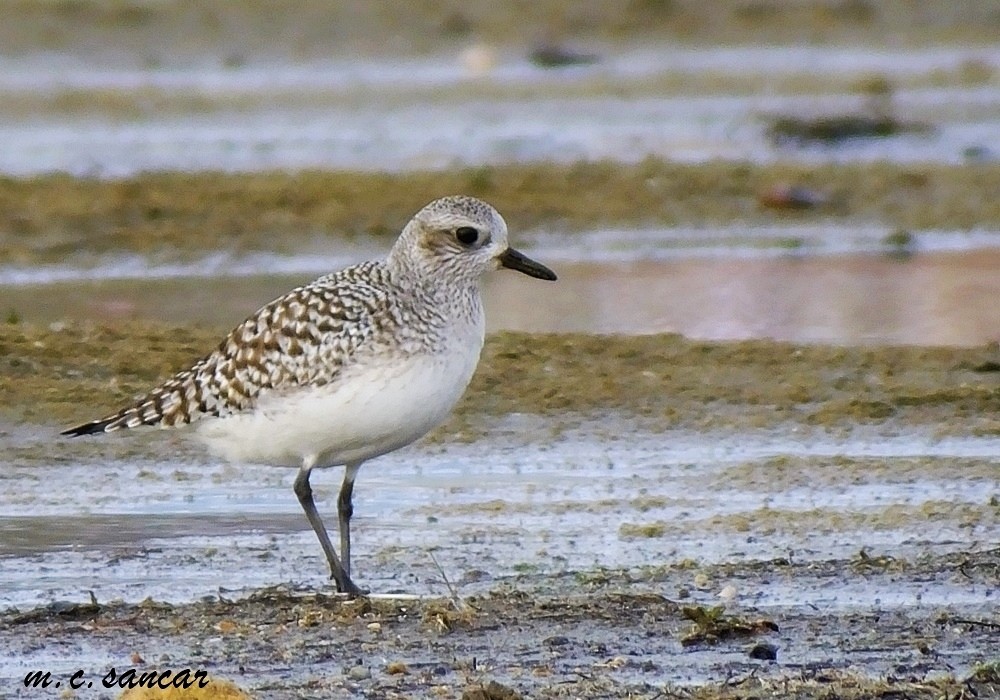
368,412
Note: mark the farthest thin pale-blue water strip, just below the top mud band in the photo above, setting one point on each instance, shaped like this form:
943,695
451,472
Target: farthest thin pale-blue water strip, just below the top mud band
52,71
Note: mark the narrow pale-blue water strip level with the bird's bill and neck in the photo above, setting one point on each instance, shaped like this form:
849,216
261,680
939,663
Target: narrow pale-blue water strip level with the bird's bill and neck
613,245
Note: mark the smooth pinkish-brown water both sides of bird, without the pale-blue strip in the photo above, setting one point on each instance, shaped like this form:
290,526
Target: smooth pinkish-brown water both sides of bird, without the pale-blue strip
928,299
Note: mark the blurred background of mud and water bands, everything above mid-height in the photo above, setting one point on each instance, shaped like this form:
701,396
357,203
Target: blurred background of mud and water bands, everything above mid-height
811,170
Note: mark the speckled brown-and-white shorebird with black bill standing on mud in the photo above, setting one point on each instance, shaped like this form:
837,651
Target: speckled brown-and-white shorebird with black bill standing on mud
351,366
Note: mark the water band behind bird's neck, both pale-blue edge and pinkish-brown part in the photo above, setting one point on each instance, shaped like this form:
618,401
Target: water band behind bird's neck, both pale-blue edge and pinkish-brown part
759,290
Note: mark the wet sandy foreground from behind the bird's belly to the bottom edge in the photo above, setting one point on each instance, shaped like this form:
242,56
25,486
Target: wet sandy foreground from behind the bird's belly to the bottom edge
591,501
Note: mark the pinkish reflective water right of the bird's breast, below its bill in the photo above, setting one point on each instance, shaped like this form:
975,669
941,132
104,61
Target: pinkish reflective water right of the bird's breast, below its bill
941,299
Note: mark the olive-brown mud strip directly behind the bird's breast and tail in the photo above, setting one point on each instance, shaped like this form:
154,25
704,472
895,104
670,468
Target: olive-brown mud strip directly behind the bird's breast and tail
66,372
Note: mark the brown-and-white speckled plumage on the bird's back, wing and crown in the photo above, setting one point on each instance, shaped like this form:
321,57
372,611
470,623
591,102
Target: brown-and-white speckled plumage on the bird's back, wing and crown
305,338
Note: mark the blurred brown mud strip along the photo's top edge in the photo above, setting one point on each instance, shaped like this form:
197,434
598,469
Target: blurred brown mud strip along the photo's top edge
236,32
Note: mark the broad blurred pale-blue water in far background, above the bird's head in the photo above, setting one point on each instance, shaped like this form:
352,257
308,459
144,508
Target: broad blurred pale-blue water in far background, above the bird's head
432,113
